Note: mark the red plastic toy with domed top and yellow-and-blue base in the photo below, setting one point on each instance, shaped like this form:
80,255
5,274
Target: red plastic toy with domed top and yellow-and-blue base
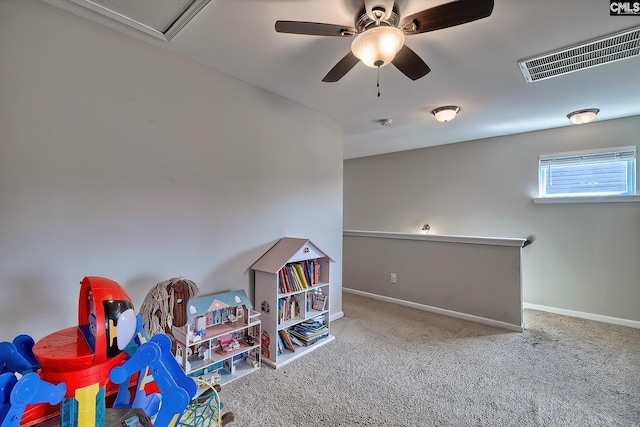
82,356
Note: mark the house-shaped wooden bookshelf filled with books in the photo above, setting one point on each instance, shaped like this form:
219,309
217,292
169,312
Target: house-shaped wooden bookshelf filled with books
291,279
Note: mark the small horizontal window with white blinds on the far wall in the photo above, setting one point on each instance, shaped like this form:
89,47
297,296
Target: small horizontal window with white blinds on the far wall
593,173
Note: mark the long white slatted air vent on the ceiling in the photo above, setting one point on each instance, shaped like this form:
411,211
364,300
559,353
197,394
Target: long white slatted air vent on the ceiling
604,50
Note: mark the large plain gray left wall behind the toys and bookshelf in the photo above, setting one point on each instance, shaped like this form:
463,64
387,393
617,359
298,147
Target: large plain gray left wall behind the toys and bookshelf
122,160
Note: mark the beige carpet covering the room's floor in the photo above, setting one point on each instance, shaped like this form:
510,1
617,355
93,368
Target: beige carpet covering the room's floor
395,366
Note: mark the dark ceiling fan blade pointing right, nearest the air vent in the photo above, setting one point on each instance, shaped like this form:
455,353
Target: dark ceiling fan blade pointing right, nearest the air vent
446,15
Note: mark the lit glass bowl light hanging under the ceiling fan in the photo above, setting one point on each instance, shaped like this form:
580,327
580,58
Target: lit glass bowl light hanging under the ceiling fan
377,46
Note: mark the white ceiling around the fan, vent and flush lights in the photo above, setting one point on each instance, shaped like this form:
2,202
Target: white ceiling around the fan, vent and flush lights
474,66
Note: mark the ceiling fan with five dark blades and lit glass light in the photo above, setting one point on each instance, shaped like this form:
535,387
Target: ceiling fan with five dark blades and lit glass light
380,33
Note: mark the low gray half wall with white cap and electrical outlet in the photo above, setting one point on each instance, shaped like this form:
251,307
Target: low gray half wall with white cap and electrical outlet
474,279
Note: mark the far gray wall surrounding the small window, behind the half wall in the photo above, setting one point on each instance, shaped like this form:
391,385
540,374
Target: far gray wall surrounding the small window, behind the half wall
584,257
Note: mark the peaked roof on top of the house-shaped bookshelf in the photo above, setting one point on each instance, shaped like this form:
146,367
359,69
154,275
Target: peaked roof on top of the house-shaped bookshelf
285,250
